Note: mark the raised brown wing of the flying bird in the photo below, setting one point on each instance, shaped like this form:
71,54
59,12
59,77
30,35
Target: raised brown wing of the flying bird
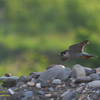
78,47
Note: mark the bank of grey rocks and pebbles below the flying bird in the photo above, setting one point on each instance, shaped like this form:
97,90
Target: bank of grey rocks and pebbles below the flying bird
56,83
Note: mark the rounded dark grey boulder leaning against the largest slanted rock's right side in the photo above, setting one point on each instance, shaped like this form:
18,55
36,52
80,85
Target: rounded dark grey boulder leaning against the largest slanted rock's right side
64,74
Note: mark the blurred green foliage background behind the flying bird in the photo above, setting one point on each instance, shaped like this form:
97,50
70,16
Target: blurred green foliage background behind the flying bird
33,32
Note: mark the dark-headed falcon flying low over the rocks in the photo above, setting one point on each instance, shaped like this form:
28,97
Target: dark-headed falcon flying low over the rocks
75,51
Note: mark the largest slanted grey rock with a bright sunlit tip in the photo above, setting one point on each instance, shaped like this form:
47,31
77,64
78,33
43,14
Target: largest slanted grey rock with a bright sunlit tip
50,74
